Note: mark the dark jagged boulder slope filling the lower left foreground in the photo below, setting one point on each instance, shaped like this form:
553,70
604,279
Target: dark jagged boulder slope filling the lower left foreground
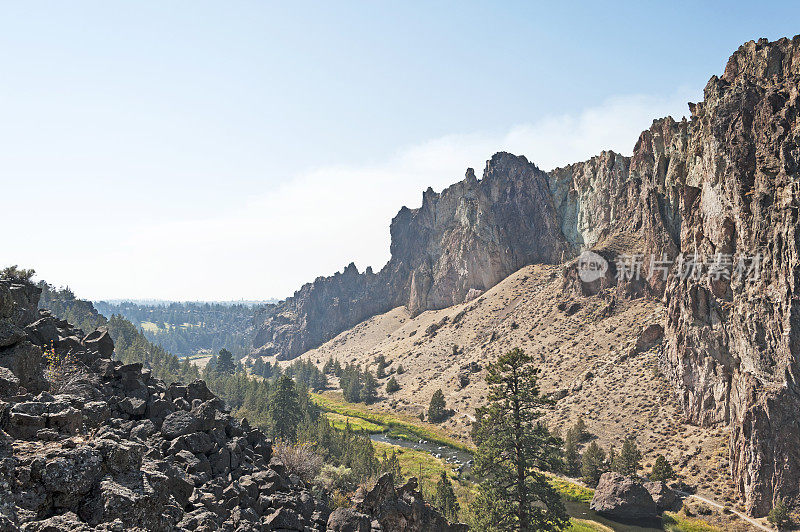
108,447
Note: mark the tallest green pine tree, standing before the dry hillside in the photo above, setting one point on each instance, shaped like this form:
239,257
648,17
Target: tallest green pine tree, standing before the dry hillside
512,446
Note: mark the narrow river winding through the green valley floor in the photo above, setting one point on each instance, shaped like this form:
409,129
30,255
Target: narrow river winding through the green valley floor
463,462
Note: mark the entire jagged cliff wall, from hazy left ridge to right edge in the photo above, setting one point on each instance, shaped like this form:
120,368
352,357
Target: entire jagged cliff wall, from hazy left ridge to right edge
720,186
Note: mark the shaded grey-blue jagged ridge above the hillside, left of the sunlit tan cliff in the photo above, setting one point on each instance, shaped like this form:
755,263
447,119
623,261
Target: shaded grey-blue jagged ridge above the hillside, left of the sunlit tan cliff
463,240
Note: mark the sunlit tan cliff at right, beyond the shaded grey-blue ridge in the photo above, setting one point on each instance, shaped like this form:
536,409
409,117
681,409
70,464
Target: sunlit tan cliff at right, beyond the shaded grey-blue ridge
725,182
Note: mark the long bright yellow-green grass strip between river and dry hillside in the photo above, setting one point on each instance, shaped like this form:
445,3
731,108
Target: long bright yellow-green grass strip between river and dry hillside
404,427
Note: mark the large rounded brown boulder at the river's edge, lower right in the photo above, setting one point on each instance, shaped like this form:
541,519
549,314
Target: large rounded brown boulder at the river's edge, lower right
623,497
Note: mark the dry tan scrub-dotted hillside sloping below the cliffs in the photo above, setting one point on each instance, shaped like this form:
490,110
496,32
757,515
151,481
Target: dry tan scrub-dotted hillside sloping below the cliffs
584,347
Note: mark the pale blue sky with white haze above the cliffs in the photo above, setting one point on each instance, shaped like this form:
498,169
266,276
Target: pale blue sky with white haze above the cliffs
194,150
